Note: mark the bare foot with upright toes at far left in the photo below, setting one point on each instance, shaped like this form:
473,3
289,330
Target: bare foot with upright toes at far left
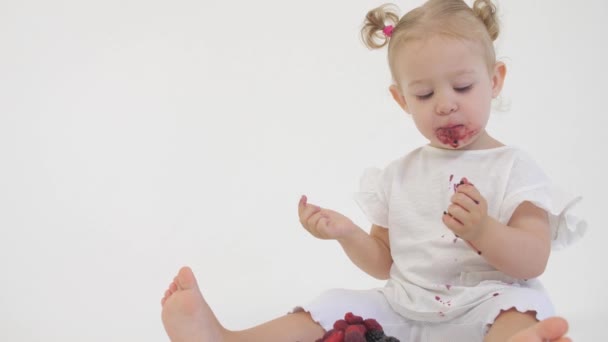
186,316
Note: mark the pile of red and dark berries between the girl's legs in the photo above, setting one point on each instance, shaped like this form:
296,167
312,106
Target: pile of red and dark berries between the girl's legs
356,329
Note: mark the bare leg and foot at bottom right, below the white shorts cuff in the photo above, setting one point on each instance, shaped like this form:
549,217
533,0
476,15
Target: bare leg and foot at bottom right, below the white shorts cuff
514,326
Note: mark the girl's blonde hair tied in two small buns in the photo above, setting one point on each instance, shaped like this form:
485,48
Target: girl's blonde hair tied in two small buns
451,18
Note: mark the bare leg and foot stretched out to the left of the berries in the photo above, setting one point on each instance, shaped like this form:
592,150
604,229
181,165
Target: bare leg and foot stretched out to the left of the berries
187,318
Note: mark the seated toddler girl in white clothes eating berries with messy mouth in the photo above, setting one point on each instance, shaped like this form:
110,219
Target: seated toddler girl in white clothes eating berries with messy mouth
462,226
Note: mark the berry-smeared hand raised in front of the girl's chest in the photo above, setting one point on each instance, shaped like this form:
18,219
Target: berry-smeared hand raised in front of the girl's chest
467,214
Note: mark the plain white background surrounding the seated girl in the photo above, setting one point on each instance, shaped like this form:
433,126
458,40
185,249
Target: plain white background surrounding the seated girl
139,136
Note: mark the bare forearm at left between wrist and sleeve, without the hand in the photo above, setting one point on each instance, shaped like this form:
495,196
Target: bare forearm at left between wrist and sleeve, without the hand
370,252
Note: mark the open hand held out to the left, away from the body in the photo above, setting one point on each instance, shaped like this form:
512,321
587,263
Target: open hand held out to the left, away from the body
324,223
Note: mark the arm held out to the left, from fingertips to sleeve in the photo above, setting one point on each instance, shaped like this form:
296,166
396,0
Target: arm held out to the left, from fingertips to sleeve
370,252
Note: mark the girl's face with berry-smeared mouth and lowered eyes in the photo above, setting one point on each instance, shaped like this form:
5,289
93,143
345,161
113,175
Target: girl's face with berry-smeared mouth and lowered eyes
445,85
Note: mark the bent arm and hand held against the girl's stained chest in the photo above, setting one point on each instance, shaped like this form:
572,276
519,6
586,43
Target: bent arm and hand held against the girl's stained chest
520,249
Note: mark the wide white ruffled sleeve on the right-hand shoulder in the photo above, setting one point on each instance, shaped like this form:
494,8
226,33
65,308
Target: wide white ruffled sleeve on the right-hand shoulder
529,183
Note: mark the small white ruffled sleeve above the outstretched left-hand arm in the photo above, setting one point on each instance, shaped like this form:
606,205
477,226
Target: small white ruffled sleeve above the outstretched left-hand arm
372,198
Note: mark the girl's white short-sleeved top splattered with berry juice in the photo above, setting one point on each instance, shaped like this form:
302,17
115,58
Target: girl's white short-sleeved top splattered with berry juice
435,275
